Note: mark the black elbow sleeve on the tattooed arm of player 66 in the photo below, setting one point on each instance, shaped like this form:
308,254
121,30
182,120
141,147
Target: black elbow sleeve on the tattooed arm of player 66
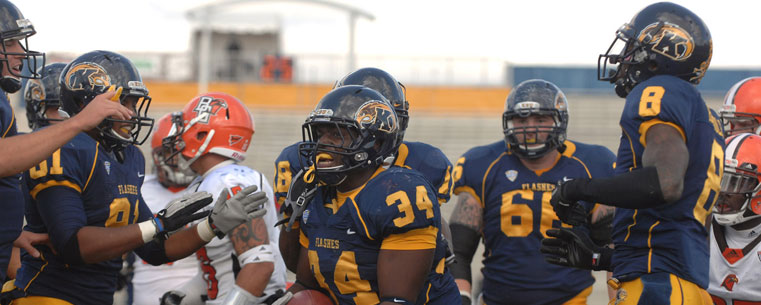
465,241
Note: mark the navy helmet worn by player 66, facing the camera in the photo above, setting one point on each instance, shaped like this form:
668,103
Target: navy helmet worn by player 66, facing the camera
535,97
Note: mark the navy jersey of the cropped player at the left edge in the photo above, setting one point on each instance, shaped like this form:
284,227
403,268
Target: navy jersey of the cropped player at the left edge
12,200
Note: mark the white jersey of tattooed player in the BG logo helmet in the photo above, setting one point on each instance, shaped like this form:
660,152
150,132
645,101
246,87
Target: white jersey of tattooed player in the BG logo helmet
217,256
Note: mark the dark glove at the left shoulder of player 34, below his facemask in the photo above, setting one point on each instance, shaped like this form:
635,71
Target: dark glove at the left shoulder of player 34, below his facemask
300,193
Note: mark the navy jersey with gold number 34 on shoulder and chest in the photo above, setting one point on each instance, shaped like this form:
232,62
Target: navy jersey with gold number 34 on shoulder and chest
396,210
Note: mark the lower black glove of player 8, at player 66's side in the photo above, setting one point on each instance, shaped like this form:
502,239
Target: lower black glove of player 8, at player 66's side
573,247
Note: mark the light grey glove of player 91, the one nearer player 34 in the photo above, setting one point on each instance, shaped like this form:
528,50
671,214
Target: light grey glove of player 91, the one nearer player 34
230,213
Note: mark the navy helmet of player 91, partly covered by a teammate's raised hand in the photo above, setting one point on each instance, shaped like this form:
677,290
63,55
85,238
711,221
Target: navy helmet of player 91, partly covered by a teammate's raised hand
96,72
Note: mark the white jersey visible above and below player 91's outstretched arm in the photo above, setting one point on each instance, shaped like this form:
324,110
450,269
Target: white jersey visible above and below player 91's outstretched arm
151,282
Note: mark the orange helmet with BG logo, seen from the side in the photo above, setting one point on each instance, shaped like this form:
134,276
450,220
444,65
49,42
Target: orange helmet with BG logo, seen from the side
212,122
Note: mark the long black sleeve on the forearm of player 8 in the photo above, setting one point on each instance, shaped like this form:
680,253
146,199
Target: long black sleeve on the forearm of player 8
633,190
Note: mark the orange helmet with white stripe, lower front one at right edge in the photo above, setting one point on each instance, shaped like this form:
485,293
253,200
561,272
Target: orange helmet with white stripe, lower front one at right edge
739,199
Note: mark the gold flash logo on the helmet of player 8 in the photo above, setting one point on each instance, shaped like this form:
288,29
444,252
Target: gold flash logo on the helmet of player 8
669,40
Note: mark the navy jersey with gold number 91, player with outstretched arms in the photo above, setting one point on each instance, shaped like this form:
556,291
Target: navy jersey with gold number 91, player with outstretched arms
109,197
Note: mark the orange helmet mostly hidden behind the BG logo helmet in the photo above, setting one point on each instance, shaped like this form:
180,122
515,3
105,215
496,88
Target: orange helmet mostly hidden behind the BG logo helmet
169,176
